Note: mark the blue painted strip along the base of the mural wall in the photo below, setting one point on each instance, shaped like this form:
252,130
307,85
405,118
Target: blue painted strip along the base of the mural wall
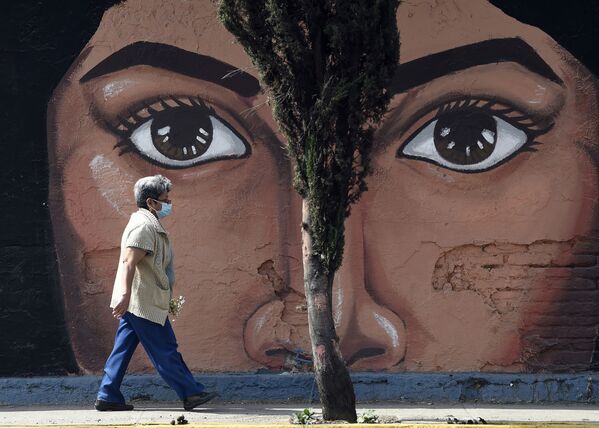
403,387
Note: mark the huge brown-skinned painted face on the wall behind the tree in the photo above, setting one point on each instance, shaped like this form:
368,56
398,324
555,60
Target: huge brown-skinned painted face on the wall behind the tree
472,250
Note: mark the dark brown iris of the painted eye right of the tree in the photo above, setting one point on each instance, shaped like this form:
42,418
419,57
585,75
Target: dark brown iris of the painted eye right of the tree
465,137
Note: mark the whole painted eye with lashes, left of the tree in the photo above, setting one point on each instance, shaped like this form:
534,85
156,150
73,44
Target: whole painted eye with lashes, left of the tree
183,135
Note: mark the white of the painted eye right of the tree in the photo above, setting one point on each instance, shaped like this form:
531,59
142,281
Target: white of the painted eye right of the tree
509,140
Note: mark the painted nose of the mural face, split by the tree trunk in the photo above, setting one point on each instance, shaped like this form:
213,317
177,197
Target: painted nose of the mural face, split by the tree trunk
372,337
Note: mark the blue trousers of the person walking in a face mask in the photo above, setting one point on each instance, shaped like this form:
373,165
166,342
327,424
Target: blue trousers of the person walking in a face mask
160,344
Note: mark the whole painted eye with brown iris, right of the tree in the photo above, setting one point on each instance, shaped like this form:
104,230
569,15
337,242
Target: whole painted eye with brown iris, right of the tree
469,138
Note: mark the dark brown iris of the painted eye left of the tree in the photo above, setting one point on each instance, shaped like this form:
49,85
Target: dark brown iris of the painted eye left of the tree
182,133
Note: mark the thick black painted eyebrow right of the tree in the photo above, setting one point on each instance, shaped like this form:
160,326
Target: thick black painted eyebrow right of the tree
423,70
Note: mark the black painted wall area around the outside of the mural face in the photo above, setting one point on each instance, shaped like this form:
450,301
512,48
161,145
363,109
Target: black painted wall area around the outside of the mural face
38,42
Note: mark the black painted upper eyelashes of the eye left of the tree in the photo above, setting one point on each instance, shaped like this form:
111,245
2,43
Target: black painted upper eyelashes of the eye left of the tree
134,118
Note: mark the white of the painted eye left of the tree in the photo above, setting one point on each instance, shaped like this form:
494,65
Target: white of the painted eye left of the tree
224,144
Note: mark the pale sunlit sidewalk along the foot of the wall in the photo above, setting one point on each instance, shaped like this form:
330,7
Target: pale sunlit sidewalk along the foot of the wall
245,414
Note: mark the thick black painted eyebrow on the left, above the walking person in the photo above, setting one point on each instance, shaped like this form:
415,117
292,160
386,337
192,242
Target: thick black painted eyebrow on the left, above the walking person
179,61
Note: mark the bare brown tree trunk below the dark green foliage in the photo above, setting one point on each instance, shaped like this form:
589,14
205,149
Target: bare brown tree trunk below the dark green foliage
332,377
